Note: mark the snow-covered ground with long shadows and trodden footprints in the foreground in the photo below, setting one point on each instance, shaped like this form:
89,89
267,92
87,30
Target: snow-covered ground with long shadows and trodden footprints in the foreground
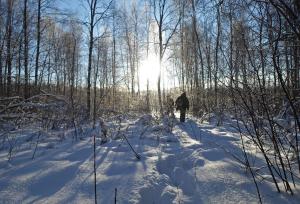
187,163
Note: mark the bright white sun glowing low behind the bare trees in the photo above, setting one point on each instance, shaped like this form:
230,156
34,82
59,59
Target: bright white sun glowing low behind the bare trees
149,70
